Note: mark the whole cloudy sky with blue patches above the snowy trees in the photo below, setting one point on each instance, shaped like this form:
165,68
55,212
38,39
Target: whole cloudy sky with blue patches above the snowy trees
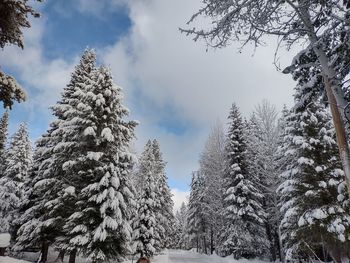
174,86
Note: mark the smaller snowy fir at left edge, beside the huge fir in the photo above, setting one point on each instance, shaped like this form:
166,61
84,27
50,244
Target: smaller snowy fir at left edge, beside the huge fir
17,167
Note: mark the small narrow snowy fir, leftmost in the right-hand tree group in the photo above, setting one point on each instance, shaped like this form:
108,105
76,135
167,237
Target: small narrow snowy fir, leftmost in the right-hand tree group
196,224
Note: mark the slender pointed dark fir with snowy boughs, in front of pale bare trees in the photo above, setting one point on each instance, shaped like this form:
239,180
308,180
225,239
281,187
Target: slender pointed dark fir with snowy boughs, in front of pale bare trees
242,233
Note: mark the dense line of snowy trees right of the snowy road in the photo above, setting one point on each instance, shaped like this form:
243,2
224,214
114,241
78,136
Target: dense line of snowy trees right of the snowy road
281,187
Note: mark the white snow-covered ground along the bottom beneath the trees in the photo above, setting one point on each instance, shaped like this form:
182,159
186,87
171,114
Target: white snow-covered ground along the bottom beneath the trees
170,256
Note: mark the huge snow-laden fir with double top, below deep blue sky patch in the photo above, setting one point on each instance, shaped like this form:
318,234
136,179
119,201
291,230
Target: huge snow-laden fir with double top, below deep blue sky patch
83,187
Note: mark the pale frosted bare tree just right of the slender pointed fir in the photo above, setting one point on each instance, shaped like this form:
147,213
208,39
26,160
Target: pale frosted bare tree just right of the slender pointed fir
262,143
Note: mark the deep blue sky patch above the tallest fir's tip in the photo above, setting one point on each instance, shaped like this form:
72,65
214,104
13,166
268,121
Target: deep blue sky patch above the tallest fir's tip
69,31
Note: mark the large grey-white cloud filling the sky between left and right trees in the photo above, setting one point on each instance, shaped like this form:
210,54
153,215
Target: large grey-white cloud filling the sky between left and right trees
172,71
